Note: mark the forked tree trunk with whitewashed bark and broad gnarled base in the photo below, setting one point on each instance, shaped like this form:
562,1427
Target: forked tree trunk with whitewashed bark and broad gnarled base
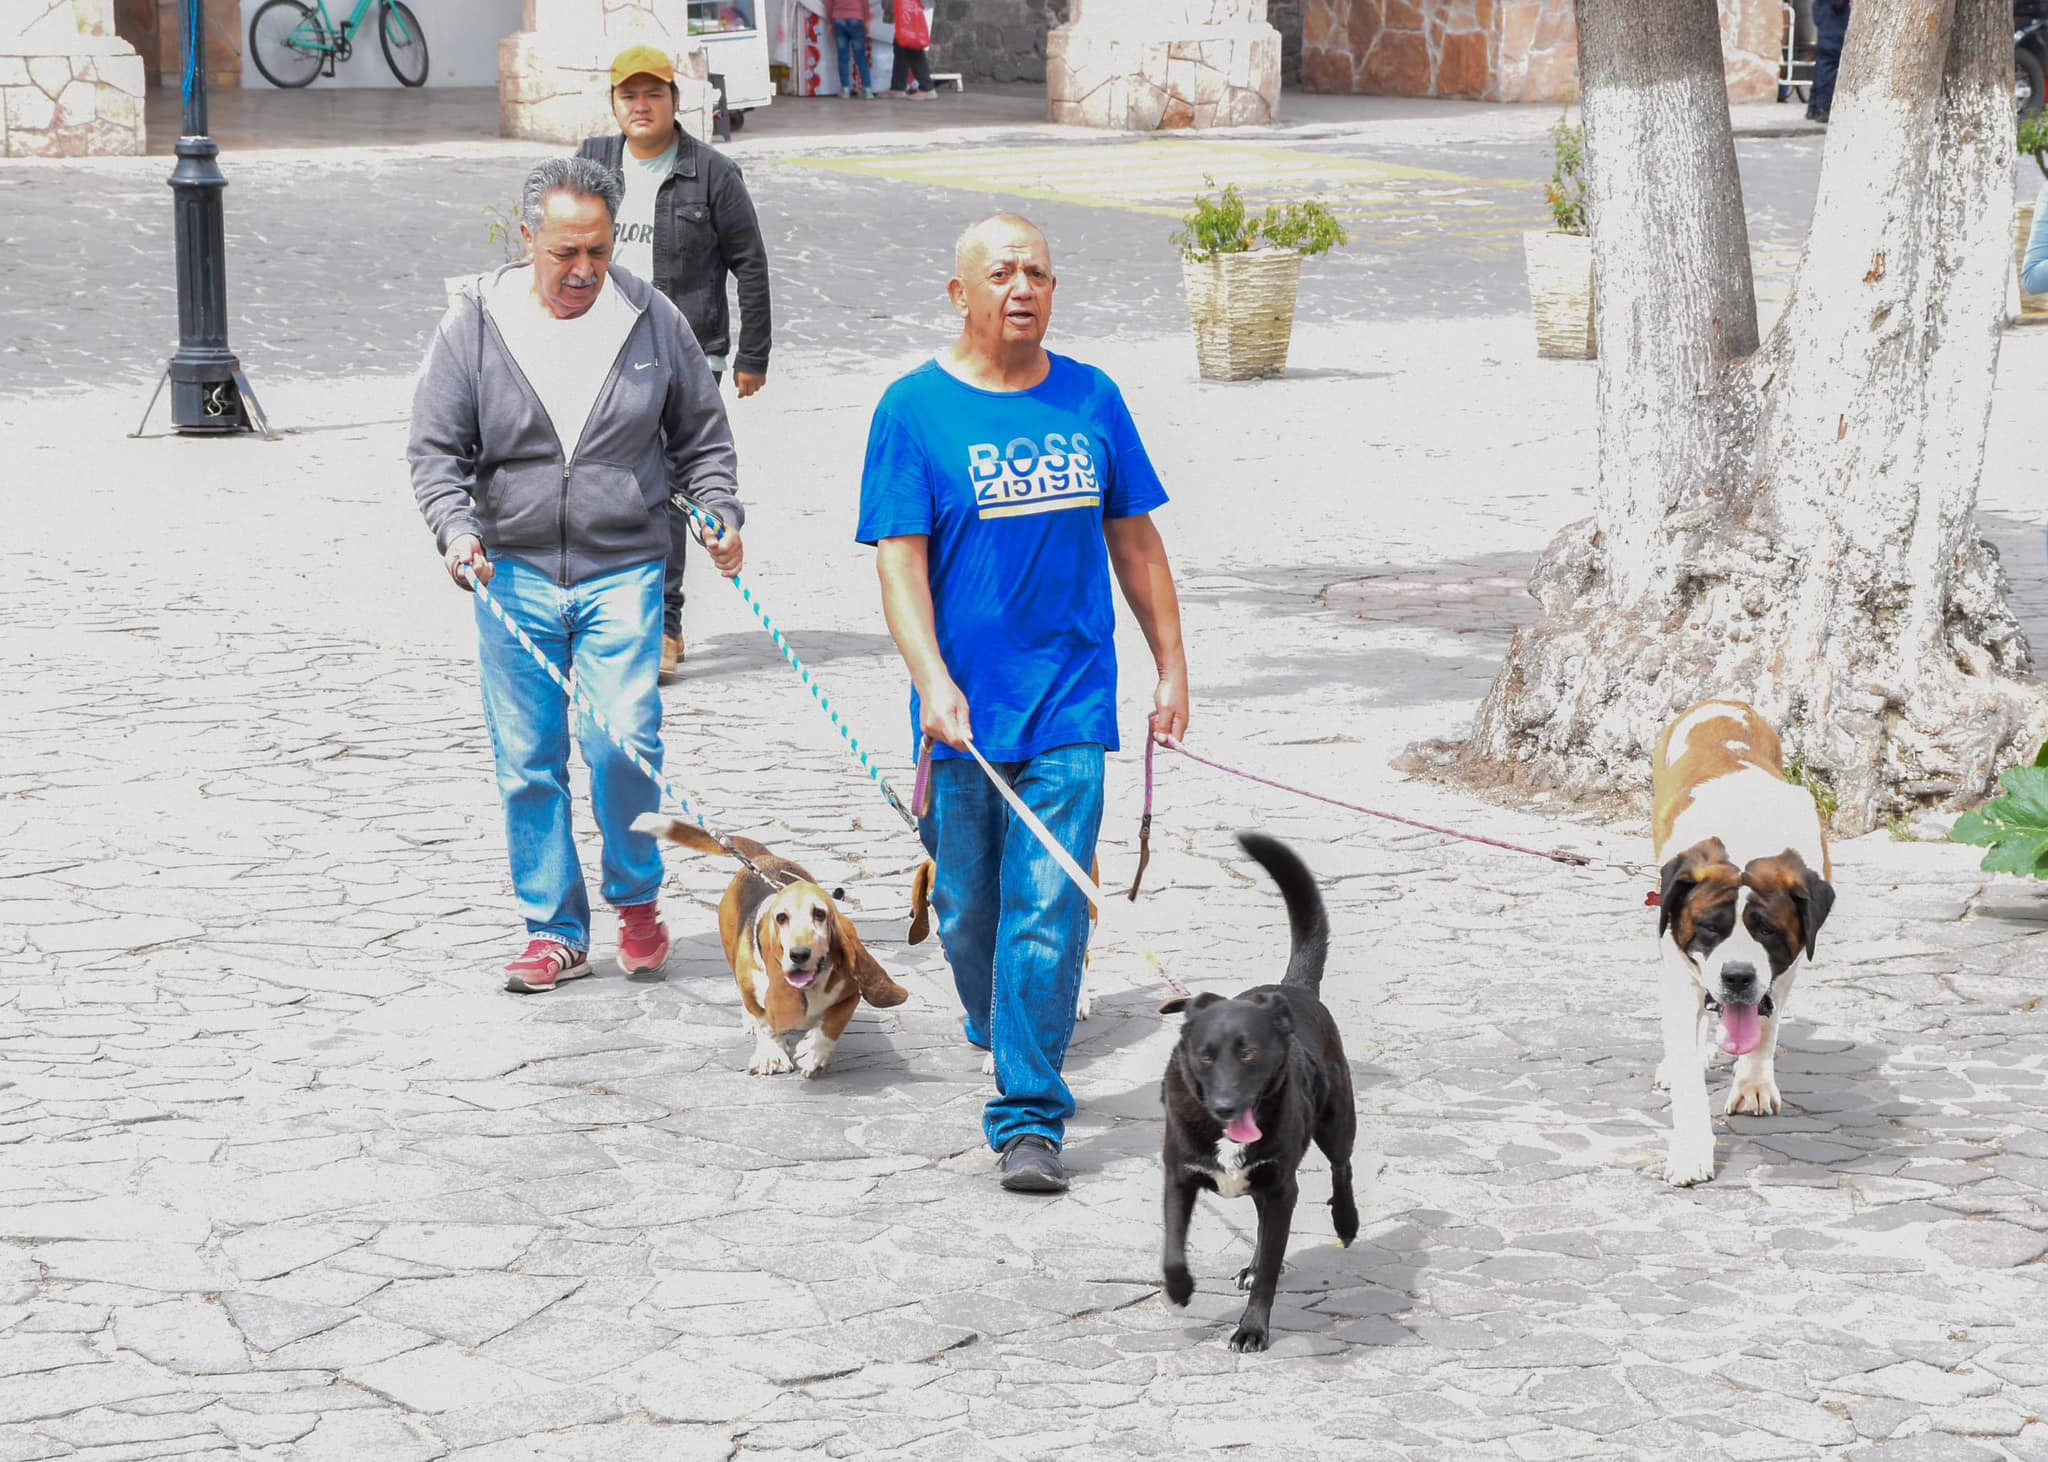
1789,525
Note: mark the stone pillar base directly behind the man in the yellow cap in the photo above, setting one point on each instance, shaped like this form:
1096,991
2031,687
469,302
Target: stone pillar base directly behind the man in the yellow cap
556,77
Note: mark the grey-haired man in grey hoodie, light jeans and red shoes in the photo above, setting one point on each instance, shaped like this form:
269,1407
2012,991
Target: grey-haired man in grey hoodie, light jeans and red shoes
560,406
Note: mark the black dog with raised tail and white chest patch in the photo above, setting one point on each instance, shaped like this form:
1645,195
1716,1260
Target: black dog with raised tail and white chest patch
1252,1082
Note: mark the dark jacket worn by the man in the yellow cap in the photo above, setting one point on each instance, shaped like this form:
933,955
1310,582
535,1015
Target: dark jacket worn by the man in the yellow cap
706,230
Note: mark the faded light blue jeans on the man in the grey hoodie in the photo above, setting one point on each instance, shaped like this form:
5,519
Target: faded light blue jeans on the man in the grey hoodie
609,630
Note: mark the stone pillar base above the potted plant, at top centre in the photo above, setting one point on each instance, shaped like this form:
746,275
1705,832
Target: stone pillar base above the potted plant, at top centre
1156,64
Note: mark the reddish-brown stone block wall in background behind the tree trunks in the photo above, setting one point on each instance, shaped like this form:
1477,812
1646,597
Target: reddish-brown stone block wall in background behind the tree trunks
1494,50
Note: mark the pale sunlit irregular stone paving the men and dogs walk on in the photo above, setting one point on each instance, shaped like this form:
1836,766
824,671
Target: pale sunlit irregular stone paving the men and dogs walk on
286,1178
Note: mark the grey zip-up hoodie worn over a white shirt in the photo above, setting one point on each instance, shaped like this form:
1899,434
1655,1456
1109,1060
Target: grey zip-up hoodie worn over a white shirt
488,462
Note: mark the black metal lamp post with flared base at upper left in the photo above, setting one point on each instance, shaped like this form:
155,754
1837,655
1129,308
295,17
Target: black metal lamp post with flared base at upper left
208,390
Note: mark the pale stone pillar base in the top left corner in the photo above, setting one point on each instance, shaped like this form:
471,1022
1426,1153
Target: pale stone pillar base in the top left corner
69,85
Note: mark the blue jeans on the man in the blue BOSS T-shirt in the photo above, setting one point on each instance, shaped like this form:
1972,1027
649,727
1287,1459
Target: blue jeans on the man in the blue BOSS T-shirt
1013,924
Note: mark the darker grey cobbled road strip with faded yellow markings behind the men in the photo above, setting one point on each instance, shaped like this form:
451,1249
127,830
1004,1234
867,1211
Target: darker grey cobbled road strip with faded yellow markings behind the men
331,257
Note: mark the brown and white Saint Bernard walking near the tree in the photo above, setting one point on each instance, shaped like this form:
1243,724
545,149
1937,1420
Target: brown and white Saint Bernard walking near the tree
1746,892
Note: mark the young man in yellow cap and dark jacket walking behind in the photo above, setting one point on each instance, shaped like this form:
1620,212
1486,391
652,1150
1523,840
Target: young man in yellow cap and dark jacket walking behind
687,222
